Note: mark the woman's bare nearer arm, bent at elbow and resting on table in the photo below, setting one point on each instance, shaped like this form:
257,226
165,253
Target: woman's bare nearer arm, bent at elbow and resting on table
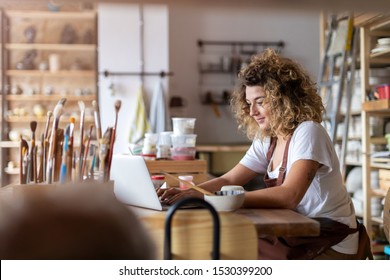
290,193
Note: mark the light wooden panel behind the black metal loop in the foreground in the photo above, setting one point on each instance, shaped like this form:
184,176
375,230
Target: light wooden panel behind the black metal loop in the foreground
192,235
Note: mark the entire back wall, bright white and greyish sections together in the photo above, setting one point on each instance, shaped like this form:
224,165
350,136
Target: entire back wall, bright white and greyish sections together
171,34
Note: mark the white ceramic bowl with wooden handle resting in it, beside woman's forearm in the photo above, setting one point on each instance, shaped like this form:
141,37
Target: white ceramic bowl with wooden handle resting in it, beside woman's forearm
226,200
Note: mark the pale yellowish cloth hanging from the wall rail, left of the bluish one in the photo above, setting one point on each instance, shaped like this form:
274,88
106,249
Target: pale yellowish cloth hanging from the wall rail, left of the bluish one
140,125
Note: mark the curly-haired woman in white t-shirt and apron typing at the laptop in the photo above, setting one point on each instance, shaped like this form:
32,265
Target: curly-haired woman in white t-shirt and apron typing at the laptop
277,104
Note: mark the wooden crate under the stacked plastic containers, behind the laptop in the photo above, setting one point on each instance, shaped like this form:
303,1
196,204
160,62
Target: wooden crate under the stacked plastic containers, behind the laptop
196,168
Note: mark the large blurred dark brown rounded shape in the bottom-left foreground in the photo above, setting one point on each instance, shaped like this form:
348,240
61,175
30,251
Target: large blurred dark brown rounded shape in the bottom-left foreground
71,223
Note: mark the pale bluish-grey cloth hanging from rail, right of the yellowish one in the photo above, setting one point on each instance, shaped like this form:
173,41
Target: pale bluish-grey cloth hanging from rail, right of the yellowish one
159,114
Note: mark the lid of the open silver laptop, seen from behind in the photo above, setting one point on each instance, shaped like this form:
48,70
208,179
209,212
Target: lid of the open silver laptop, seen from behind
132,182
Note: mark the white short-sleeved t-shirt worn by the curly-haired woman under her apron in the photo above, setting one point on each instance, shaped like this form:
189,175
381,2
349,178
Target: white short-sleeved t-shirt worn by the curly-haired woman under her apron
326,196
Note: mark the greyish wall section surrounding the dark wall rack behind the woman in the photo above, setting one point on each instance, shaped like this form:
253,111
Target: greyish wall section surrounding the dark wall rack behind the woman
299,30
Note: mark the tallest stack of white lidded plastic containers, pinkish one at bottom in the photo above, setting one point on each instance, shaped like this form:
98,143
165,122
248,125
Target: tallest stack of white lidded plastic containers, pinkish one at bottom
183,139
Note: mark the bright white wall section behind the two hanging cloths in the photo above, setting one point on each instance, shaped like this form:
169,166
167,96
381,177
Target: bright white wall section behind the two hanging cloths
119,51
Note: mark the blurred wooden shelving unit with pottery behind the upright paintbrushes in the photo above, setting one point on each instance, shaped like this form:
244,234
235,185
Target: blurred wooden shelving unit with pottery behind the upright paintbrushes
71,37
